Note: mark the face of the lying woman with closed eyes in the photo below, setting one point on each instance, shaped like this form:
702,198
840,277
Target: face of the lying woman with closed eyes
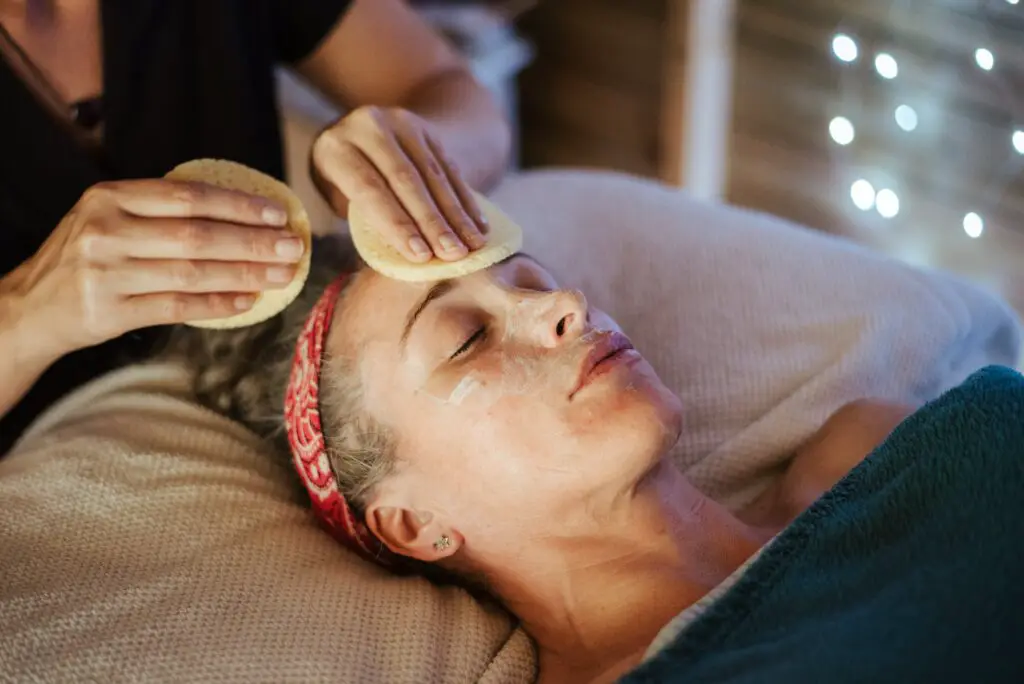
511,400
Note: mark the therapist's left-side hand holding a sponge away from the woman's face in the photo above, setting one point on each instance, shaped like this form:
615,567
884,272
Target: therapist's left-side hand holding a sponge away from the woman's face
143,253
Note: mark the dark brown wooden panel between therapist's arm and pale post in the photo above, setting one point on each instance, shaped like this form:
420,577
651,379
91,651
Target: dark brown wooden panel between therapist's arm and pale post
592,96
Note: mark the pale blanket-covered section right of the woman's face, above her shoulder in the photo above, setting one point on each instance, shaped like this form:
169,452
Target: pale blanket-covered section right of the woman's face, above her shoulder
763,328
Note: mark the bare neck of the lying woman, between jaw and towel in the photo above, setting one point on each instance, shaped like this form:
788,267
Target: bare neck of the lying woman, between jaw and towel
605,594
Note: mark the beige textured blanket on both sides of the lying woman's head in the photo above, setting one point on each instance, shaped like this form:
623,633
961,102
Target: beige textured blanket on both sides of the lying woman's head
145,539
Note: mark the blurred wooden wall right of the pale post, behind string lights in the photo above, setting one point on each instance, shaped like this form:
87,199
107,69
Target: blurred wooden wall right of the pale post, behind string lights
788,87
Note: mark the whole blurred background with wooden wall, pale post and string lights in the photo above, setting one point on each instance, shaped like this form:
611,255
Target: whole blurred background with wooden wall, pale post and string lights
897,123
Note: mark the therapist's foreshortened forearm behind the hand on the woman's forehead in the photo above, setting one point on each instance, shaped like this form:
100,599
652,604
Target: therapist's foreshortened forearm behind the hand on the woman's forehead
468,124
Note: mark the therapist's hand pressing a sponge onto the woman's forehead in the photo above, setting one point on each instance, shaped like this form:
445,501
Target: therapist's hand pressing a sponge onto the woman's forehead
386,161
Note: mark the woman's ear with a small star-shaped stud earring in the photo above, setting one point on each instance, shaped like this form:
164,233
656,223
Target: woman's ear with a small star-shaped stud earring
413,534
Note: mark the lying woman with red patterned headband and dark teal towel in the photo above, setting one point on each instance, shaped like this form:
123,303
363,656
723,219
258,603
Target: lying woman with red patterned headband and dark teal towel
497,432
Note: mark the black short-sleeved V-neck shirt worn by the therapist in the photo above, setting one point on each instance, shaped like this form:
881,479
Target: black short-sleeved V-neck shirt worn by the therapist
183,79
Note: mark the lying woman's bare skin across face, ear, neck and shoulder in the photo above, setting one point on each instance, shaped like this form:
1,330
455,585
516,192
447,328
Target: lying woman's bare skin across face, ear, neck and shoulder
549,474
